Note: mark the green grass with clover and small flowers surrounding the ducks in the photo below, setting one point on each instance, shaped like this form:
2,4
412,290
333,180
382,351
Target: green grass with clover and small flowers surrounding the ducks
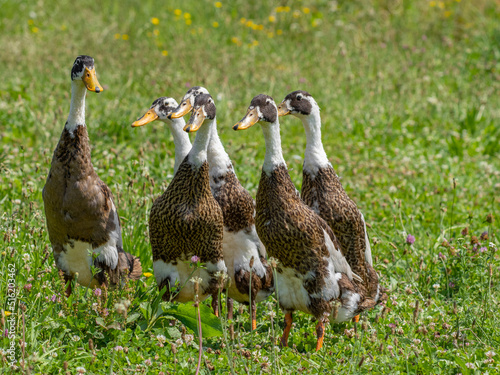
410,104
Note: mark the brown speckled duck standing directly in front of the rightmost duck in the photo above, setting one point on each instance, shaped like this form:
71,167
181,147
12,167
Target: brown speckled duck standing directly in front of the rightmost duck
312,274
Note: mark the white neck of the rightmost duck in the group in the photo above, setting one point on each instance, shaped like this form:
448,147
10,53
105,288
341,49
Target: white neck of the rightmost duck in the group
315,155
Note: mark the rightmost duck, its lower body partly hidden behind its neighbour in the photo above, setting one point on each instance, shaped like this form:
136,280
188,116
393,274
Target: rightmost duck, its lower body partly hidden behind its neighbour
323,192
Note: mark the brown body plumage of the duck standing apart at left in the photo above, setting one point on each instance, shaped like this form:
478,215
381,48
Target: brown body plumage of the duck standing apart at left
79,207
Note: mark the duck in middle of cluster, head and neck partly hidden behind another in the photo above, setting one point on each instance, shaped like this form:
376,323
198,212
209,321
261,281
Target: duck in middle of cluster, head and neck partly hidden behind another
251,277
